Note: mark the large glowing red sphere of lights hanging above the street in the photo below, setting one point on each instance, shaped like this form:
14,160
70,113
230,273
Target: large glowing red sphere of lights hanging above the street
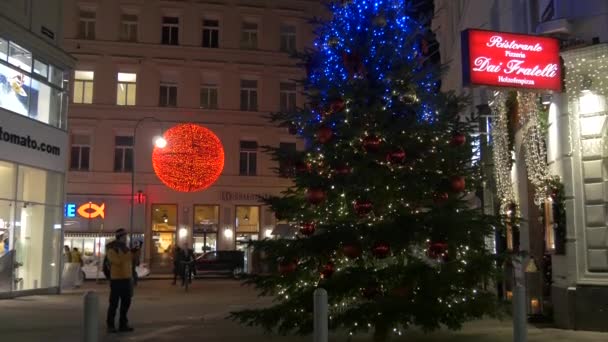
192,160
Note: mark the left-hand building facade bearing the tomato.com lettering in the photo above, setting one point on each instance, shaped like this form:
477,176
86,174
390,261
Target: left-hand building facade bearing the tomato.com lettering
33,145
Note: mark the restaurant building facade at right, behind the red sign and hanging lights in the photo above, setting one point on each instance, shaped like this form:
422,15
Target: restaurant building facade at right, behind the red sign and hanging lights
567,277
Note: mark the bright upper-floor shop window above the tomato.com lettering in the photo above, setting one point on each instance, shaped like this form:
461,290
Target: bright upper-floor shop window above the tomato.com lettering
31,89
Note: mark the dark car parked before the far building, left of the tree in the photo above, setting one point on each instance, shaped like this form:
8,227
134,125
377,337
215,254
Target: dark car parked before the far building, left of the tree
231,262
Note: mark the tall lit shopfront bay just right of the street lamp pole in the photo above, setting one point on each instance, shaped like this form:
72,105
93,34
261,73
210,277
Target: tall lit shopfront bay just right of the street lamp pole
164,227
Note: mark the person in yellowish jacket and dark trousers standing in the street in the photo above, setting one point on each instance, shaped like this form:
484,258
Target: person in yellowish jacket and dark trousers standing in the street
121,286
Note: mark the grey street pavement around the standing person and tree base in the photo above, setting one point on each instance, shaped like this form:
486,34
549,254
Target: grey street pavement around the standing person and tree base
162,312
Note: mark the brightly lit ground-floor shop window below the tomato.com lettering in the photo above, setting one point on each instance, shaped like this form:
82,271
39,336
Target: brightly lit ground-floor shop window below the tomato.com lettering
30,224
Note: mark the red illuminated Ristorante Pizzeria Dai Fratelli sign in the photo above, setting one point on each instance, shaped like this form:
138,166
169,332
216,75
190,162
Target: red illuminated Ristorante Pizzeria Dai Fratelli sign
510,60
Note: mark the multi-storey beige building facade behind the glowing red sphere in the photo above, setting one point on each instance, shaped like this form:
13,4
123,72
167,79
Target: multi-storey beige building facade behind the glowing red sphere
145,66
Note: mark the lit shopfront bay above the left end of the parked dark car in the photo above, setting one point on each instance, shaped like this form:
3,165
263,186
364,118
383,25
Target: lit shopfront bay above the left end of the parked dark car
206,223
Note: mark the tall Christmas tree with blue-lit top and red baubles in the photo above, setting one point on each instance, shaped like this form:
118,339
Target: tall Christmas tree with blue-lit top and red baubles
382,193
